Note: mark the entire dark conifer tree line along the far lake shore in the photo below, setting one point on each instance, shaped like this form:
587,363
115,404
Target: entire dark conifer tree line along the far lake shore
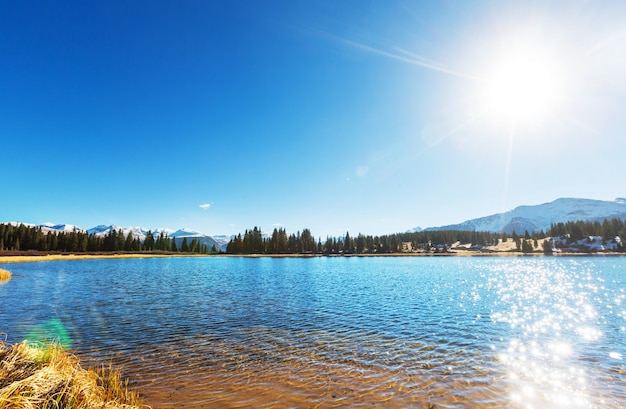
24,238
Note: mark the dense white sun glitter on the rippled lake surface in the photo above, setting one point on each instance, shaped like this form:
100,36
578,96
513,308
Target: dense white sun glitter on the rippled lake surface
542,362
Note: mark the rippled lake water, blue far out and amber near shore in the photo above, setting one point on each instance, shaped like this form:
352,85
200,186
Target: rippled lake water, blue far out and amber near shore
423,332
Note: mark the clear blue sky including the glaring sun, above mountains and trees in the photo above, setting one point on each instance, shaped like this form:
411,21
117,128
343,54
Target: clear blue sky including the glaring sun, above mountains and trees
360,116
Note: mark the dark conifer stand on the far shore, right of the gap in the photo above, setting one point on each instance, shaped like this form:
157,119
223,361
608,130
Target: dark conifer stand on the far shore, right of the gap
253,242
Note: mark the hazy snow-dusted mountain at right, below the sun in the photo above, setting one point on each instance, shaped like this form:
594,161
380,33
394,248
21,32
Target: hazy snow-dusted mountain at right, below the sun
540,217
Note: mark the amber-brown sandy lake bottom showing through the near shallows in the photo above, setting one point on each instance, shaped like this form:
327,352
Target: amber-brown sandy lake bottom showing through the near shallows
275,374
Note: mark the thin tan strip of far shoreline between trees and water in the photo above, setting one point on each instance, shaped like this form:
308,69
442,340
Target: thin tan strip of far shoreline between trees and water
28,257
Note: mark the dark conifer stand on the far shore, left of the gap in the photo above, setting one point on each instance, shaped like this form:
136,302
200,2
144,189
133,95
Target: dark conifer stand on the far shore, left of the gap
25,238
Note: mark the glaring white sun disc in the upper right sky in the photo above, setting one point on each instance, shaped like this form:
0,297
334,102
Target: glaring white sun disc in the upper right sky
522,87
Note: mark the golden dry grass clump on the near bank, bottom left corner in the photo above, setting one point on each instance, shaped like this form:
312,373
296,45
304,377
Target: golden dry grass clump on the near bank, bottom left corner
49,377
